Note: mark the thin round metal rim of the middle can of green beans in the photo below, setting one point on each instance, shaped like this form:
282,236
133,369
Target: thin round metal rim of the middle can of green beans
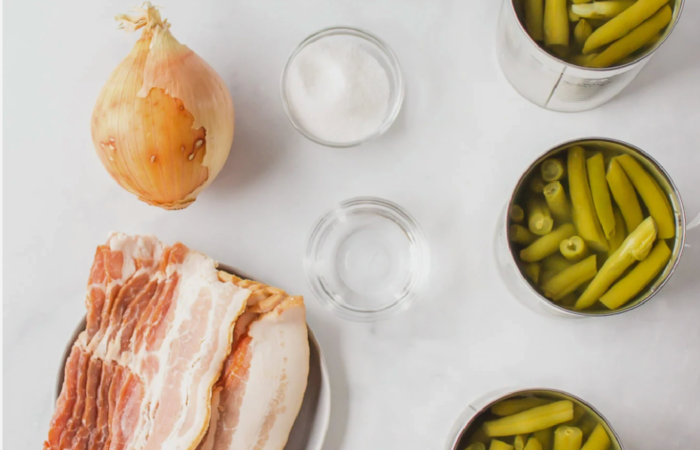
680,211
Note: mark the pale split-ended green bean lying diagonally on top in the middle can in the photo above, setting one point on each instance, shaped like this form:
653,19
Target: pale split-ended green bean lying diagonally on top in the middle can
636,247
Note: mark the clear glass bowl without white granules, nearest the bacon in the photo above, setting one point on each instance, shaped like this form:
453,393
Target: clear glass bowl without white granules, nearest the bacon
366,259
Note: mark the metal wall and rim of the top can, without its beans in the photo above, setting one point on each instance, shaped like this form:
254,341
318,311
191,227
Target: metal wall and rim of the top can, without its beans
554,84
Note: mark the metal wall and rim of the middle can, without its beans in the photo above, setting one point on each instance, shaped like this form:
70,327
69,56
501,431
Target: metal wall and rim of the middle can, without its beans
505,253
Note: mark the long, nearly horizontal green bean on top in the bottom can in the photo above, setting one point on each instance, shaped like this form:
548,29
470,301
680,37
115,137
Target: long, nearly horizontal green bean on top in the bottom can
532,420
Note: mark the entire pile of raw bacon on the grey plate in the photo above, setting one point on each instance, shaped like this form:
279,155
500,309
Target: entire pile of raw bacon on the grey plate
176,355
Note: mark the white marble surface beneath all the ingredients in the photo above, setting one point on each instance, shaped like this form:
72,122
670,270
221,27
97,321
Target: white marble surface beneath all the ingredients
451,158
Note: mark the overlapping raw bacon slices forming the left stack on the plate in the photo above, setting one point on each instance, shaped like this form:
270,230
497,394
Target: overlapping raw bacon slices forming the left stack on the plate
159,326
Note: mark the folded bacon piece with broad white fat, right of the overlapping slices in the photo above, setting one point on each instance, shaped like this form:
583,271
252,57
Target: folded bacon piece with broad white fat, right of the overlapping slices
262,386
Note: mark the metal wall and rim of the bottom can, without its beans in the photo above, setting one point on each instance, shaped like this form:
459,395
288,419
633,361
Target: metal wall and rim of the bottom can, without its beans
468,420
